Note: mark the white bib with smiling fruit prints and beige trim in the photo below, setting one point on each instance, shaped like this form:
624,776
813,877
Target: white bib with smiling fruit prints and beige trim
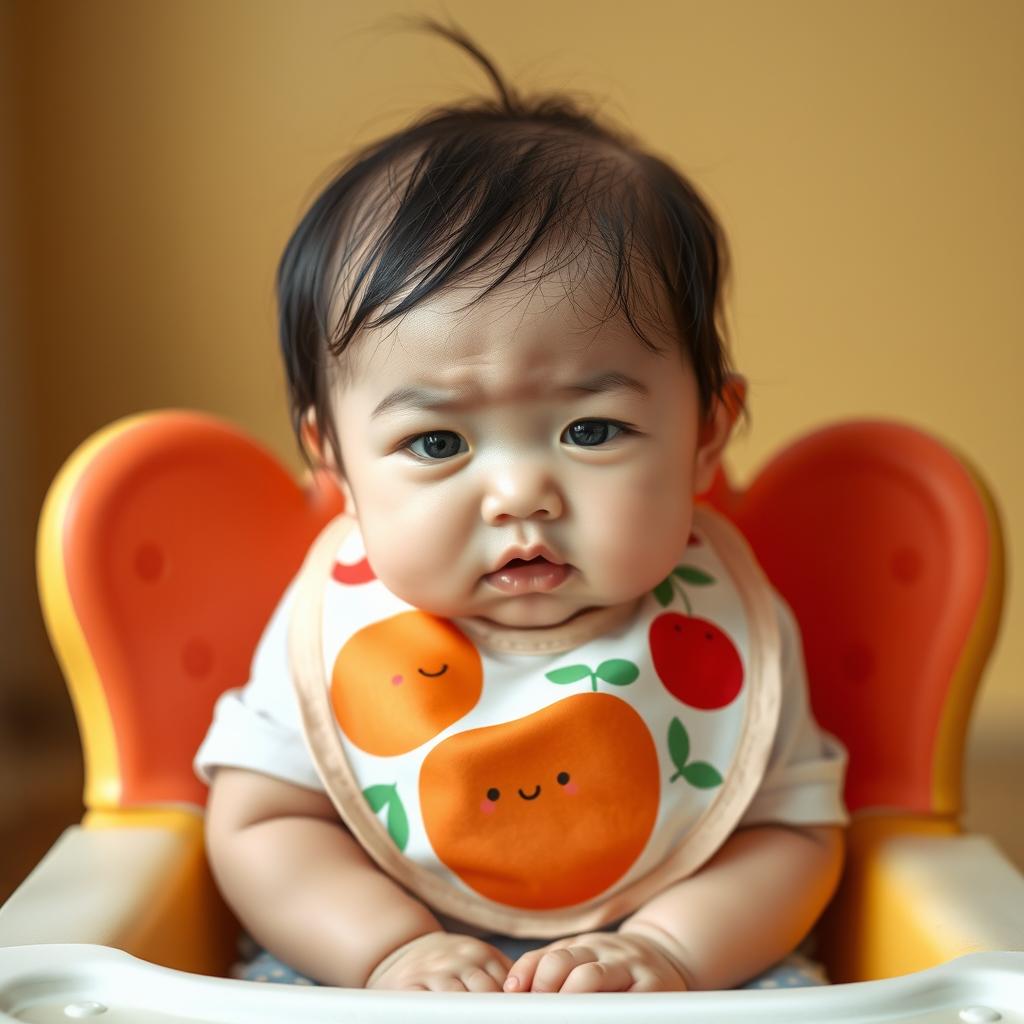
540,783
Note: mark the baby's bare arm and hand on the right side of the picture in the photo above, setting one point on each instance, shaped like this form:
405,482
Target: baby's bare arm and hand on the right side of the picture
746,910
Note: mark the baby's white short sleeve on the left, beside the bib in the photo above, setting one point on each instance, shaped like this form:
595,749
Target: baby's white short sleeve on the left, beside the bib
259,727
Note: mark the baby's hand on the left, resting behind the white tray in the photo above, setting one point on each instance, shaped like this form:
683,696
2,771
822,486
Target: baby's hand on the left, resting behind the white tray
441,962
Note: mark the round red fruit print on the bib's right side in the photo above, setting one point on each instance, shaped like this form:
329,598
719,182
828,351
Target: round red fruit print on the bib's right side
696,661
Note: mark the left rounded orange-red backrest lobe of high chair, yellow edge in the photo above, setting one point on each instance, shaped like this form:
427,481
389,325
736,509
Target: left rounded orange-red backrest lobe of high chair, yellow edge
164,544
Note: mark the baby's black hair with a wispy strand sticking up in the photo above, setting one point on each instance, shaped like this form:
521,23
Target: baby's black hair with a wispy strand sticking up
479,188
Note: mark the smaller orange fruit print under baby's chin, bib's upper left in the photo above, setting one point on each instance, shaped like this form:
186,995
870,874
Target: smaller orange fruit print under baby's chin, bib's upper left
399,682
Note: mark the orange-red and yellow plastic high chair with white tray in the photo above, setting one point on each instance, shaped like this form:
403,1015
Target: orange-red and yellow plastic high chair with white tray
165,543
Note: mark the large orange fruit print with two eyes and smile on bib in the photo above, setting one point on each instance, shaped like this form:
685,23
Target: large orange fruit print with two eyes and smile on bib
548,810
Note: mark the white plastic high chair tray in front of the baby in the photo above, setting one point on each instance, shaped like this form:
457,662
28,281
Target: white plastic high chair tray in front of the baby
55,985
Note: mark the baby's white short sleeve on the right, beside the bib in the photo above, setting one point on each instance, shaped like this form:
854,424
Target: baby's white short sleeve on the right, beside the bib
803,783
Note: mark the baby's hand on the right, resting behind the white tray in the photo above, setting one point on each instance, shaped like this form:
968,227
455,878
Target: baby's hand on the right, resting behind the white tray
599,962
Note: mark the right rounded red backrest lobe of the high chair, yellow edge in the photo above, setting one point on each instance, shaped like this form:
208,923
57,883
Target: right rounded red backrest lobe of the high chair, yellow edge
888,548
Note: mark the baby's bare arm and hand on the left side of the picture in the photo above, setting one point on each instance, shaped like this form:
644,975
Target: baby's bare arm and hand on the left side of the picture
304,888
